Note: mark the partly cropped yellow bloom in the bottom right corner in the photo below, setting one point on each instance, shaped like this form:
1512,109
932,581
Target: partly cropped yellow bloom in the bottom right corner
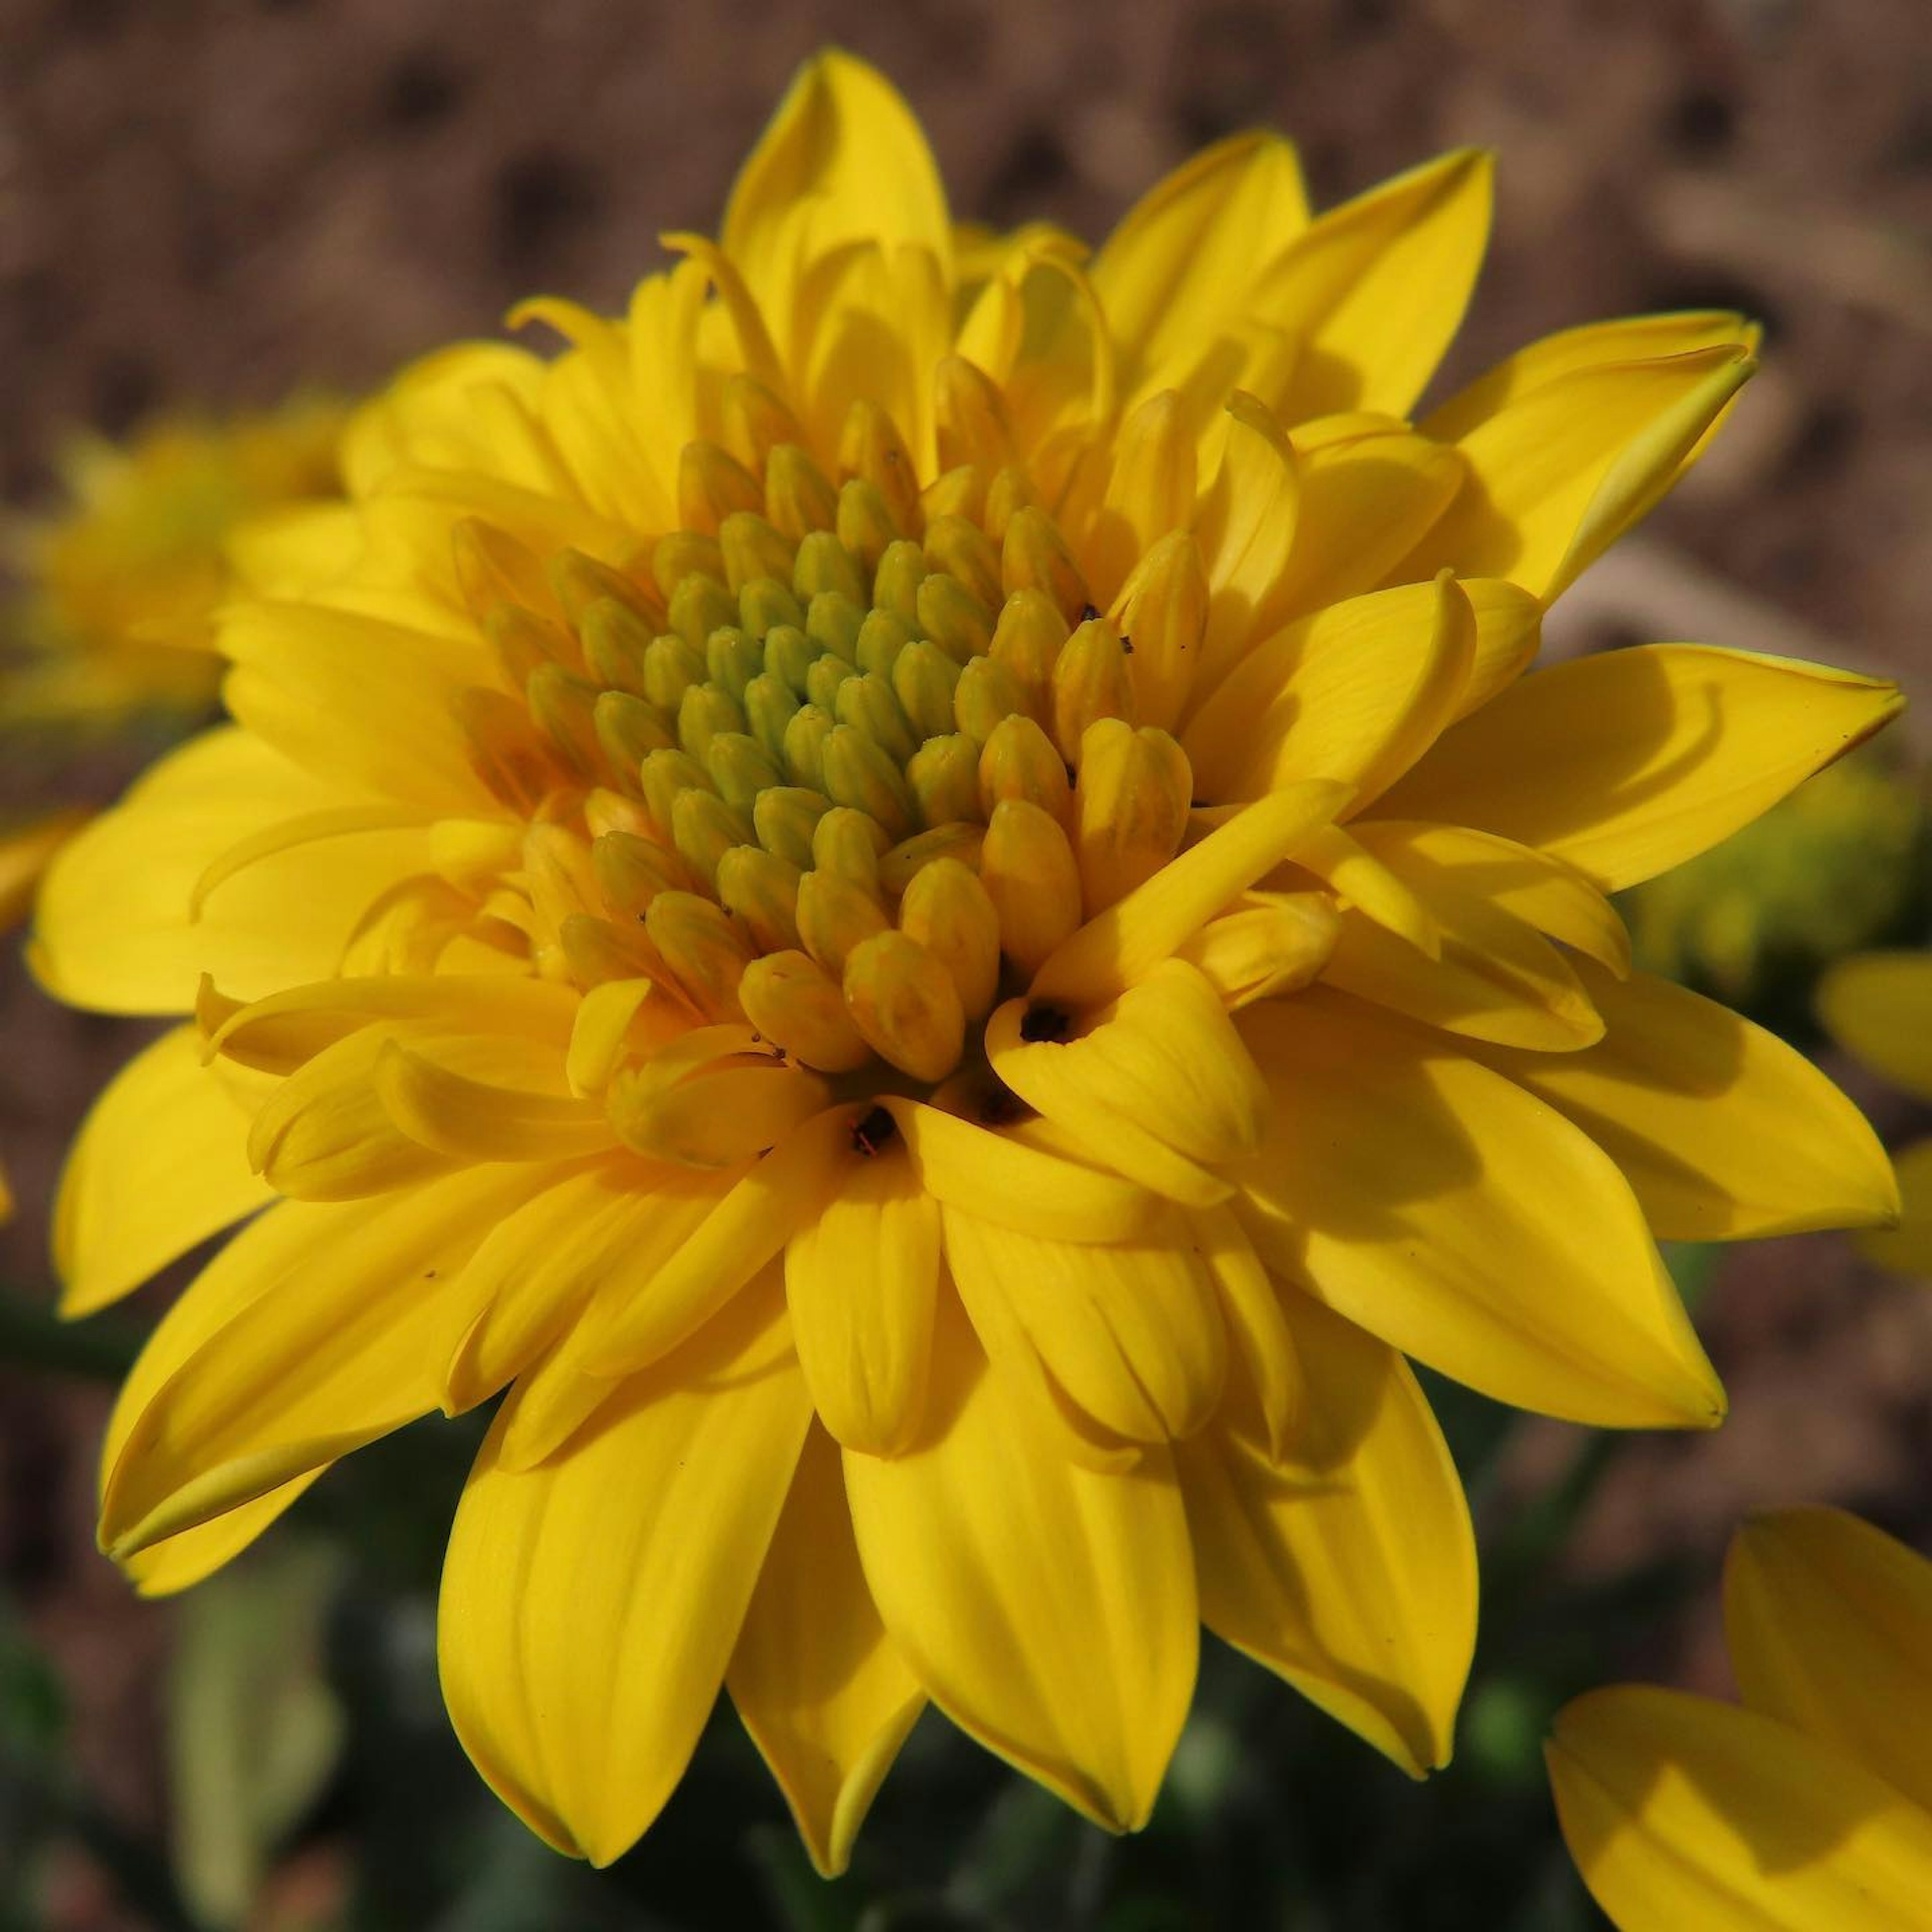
1807,1807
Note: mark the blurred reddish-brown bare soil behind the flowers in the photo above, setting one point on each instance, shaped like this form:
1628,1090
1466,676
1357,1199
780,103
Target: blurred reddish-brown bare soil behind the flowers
217,200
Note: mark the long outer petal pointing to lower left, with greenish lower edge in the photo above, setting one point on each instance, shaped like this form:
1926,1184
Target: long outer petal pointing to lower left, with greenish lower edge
341,1340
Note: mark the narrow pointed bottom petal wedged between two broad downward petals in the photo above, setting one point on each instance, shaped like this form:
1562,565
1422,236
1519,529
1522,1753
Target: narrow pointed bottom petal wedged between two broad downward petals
816,1680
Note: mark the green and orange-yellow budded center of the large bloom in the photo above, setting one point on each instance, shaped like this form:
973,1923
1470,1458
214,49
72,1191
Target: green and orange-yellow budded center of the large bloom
849,764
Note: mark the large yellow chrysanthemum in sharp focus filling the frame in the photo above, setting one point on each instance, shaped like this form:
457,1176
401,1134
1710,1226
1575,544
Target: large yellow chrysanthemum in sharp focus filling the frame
919,895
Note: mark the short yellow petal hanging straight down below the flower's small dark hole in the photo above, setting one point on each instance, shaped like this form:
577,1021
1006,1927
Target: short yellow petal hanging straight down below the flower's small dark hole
863,1282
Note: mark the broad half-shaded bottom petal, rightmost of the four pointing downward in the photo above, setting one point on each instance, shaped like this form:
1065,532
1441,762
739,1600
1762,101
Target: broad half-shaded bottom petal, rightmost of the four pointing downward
1350,1564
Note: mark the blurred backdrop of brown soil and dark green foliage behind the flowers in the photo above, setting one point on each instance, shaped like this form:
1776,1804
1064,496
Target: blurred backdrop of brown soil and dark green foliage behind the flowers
217,204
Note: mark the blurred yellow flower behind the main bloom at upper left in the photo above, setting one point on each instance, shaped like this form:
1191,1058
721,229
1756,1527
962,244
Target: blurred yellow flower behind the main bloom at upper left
123,584
